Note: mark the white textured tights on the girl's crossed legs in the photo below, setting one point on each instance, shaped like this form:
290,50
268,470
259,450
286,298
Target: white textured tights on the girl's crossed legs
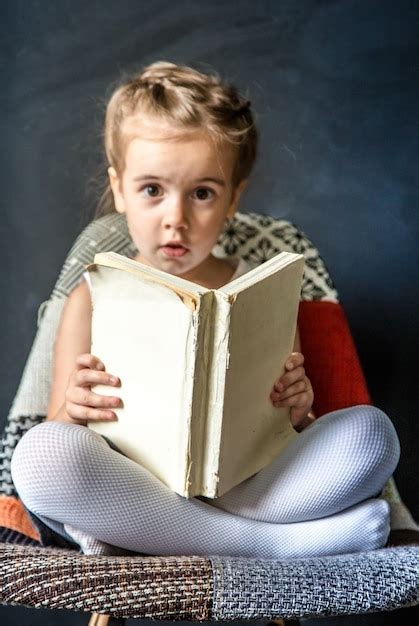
319,497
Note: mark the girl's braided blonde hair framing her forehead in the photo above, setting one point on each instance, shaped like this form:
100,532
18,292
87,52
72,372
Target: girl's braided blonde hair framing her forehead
188,100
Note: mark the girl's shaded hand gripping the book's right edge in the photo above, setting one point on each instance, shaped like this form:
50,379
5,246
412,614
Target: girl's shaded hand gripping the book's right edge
294,389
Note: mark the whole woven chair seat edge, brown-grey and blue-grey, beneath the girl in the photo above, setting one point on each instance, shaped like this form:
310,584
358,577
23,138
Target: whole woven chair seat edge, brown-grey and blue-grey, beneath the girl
214,588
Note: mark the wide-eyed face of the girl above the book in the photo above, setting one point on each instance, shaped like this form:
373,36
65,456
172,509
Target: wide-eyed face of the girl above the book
176,192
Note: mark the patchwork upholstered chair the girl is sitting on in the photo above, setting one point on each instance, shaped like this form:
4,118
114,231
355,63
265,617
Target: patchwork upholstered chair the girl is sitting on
35,573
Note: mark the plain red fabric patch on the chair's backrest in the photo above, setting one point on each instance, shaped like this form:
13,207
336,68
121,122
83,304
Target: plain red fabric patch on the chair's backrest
331,359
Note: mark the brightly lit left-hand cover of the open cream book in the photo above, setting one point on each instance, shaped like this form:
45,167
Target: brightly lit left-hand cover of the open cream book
145,334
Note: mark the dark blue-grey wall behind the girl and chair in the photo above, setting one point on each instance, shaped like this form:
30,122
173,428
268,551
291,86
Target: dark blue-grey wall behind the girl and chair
335,85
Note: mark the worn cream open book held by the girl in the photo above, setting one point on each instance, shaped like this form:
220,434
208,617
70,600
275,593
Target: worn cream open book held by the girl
197,367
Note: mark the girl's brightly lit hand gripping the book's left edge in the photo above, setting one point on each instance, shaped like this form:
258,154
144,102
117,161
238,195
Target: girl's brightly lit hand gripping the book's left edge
83,404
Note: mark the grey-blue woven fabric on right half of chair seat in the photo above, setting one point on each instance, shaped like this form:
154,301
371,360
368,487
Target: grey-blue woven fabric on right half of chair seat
361,583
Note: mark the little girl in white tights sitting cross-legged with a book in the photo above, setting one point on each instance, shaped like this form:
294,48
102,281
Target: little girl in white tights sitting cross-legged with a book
180,146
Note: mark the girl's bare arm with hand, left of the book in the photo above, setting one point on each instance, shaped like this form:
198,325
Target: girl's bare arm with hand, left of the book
75,370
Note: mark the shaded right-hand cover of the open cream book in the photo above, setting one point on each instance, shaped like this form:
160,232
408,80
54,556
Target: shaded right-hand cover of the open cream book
262,330
